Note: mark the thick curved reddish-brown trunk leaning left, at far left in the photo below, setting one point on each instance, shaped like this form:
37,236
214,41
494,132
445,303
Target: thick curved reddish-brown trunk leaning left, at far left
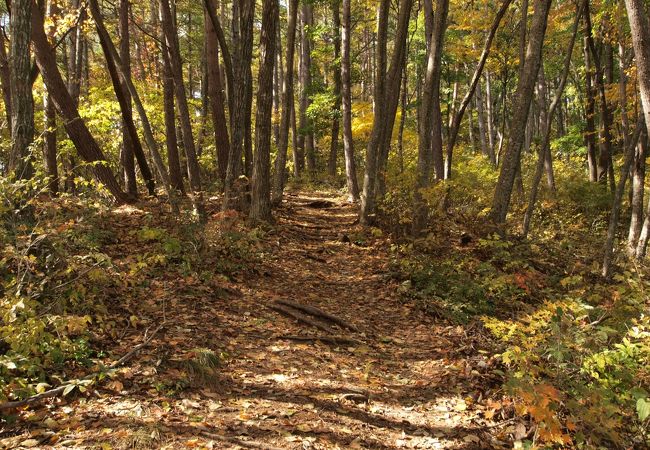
84,142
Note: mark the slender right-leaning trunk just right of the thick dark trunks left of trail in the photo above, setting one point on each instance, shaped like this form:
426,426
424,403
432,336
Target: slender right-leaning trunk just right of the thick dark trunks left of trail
287,106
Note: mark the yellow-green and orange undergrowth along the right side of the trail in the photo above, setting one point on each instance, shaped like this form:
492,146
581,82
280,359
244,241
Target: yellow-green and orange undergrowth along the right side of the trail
575,347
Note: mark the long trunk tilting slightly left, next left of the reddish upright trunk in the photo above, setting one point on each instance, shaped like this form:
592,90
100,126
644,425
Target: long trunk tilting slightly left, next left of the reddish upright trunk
193,170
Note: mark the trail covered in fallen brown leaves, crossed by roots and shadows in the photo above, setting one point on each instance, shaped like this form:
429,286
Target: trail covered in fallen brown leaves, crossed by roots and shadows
404,379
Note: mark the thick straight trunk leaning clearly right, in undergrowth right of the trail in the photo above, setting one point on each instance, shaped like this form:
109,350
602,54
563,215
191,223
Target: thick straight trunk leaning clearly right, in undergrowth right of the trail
523,98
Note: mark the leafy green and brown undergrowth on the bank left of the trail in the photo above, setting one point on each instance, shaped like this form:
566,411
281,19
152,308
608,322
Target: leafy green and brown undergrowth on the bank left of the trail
76,276
